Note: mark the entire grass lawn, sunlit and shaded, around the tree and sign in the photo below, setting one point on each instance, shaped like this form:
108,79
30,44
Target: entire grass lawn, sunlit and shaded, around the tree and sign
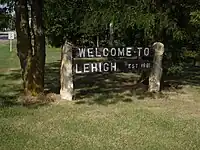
110,113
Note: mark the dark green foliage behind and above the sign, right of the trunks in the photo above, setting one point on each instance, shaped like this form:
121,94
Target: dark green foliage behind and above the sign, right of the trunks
135,23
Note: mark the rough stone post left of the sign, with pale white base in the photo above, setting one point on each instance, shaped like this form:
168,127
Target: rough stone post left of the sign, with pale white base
66,73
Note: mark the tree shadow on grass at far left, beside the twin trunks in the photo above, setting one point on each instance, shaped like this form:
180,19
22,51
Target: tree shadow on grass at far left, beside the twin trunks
11,92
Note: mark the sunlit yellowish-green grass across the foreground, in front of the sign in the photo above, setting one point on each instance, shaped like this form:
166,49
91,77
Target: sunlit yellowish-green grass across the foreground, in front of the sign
136,125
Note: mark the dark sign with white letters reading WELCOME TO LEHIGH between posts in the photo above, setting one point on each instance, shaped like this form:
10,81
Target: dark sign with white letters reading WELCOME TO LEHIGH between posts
115,59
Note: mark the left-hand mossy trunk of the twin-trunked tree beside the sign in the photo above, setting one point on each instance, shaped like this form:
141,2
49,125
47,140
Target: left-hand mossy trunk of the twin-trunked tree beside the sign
24,48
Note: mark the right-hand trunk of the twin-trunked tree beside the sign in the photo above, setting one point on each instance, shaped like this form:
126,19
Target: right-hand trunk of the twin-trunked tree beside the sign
39,44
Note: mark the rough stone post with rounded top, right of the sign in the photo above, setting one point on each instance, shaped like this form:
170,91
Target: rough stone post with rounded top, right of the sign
156,71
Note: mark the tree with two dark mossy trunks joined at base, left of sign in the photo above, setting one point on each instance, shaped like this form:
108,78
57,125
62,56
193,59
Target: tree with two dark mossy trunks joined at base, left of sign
32,56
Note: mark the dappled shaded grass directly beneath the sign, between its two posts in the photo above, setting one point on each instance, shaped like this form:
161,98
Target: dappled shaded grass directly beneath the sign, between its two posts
105,88
